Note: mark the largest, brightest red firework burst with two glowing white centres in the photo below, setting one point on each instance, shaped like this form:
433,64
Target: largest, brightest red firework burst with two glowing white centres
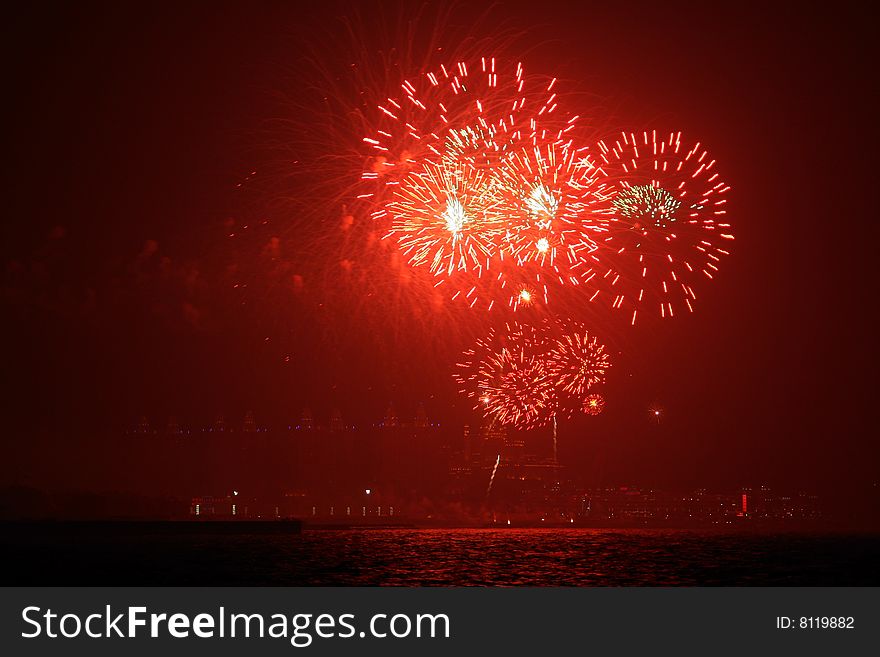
477,177
